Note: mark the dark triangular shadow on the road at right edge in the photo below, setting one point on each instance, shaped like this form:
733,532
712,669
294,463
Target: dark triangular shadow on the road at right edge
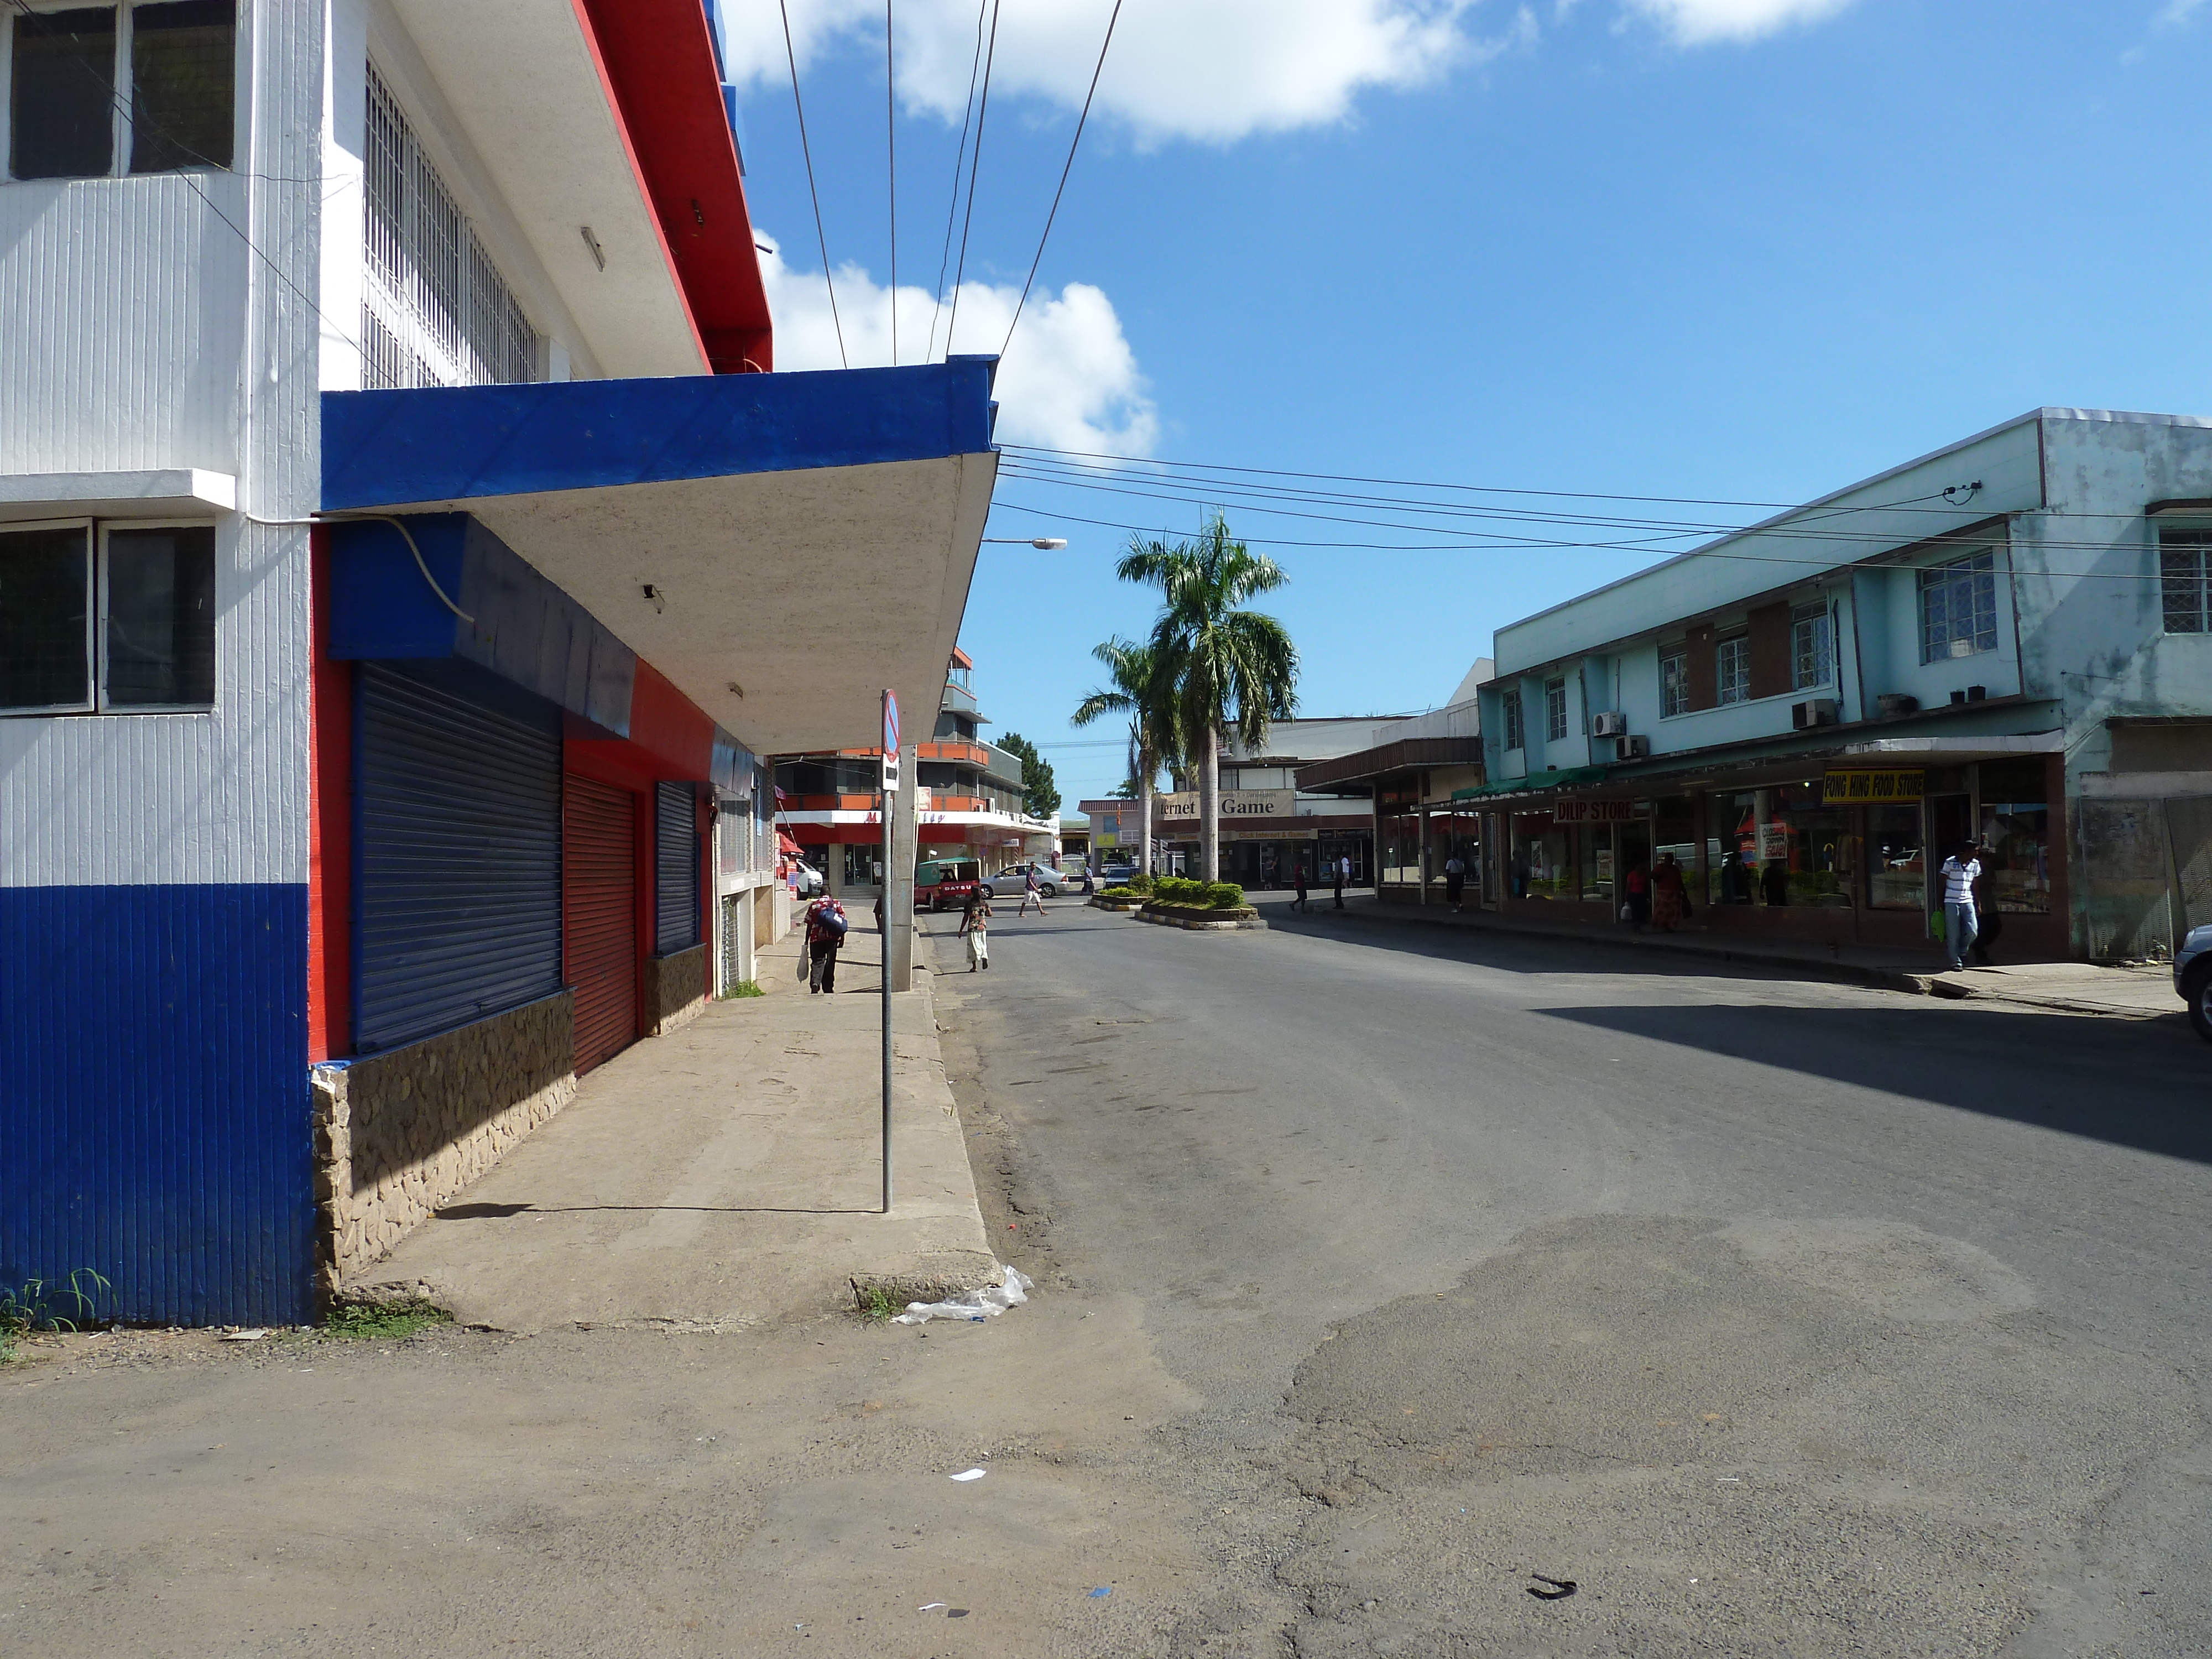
2129,1083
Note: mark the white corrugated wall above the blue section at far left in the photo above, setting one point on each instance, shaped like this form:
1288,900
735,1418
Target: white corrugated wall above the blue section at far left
145,331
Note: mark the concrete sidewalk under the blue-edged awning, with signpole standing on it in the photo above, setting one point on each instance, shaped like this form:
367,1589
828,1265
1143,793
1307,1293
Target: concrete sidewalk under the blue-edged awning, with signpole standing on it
722,1176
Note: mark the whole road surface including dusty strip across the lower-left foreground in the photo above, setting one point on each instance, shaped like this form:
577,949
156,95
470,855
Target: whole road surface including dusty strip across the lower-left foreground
1377,1277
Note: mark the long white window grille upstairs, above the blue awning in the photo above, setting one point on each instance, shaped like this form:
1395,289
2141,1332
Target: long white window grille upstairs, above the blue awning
435,309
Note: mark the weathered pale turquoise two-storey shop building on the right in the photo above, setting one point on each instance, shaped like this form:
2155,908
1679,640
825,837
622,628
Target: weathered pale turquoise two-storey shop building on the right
2005,643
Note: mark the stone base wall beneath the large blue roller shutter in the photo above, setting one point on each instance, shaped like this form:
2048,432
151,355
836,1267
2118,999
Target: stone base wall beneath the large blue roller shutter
401,1134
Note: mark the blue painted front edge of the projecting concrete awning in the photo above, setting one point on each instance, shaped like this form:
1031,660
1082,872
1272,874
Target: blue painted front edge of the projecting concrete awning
457,444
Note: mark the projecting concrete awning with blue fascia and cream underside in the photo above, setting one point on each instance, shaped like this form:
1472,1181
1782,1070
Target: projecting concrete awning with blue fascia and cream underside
806,539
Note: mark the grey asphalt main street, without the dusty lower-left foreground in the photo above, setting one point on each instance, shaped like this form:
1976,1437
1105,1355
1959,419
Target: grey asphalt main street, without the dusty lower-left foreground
1777,1317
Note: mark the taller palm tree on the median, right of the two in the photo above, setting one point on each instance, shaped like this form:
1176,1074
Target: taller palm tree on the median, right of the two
1233,671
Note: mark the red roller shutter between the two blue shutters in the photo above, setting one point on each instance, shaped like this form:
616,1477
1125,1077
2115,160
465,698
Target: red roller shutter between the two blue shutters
601,917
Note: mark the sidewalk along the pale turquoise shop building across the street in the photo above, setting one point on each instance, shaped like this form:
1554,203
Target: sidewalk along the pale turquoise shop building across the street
2074,988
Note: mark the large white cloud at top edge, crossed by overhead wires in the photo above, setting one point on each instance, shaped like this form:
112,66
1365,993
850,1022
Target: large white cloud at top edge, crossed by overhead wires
1193,70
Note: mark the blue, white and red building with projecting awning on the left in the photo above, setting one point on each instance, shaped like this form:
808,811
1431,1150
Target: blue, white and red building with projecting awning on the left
397,510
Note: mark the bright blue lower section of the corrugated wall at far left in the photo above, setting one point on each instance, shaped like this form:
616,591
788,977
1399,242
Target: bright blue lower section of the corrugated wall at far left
154,1098
